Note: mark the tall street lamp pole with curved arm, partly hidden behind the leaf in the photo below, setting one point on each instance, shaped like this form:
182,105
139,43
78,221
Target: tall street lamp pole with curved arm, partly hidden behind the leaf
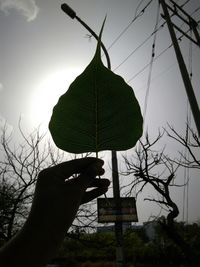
115,175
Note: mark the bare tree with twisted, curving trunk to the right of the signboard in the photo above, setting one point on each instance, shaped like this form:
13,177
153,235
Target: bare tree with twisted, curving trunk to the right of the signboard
150,165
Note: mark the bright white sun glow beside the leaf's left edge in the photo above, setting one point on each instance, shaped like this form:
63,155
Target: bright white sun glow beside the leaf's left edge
47,93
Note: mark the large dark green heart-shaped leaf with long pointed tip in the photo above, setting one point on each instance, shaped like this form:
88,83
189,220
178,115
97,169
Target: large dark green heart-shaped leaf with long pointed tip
98,112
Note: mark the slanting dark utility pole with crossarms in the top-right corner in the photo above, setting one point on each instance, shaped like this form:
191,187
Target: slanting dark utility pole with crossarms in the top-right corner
179,12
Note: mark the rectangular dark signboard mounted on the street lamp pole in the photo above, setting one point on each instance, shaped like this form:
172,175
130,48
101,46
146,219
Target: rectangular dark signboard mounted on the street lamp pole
107,211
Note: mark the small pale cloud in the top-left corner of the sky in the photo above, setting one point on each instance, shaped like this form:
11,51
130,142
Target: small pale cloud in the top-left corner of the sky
27,8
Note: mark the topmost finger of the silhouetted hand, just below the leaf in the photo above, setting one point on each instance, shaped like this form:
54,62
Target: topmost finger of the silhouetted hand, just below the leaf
88,166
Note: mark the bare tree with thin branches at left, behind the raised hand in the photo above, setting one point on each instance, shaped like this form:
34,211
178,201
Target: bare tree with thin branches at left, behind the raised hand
19,168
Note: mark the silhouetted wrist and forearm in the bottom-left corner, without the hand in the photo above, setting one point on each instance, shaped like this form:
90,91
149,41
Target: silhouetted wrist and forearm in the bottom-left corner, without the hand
34,246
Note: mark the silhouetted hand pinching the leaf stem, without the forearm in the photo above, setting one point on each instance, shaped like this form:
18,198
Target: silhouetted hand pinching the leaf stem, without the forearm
57,198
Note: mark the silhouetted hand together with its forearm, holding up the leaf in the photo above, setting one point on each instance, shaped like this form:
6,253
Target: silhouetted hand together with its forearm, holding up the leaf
56,201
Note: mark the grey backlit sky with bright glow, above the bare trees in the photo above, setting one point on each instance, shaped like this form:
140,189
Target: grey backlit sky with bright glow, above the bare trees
42,50
